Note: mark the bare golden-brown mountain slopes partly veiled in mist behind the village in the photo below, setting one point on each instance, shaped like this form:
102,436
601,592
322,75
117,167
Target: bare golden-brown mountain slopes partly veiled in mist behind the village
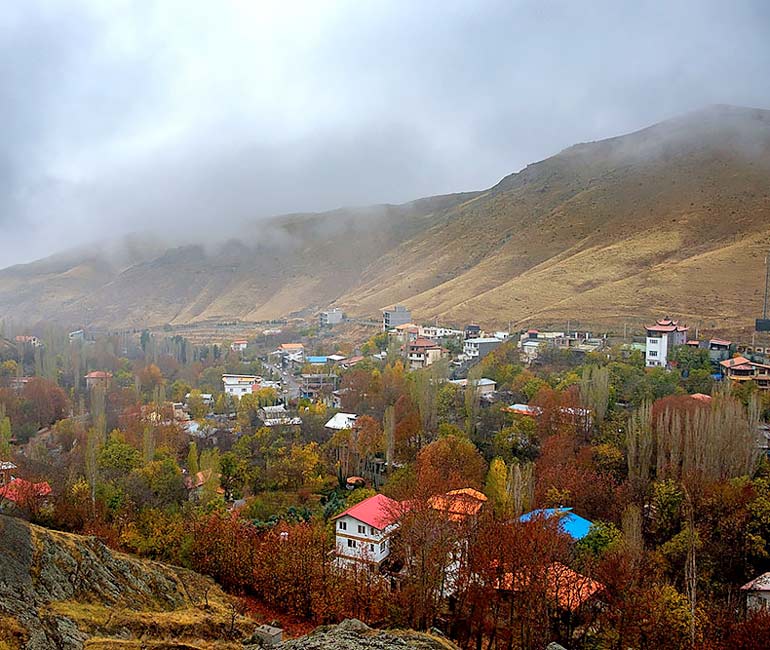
671,219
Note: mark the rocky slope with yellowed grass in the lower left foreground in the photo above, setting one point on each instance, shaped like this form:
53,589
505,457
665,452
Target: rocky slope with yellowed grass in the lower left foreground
66,591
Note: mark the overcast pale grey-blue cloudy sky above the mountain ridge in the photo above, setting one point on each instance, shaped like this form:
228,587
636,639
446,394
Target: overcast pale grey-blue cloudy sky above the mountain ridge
187,118
